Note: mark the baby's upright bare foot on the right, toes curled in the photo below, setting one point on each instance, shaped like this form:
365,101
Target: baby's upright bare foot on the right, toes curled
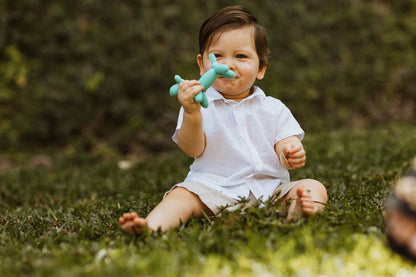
303,206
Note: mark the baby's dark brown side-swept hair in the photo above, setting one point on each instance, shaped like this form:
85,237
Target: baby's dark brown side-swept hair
229,18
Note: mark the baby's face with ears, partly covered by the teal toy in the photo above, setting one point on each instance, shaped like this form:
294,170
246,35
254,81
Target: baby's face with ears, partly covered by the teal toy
236,48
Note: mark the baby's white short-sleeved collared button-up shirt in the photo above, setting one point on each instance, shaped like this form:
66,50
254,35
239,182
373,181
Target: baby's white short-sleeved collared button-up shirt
239,156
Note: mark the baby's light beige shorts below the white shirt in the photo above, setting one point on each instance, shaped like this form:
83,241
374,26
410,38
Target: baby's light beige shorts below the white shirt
217,201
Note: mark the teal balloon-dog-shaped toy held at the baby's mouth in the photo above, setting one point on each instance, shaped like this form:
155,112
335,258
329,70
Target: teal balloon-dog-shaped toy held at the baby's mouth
206,80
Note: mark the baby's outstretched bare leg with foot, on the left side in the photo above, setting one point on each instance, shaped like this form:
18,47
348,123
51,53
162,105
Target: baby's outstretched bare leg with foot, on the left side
178,206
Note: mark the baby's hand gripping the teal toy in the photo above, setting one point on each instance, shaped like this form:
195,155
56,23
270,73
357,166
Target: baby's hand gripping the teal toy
186,93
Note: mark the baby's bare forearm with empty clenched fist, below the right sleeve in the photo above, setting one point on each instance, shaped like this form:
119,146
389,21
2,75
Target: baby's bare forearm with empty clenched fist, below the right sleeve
290,152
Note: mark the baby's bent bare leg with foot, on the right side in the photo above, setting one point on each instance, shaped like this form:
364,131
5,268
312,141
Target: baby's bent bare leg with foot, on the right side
306,199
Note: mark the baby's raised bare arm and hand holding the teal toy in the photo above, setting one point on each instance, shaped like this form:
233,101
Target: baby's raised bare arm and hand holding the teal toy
191,137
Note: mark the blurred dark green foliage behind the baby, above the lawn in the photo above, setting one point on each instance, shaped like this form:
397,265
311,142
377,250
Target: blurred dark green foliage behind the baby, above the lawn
96,72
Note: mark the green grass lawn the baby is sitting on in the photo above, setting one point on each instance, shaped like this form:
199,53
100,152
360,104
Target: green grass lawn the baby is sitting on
62,220
